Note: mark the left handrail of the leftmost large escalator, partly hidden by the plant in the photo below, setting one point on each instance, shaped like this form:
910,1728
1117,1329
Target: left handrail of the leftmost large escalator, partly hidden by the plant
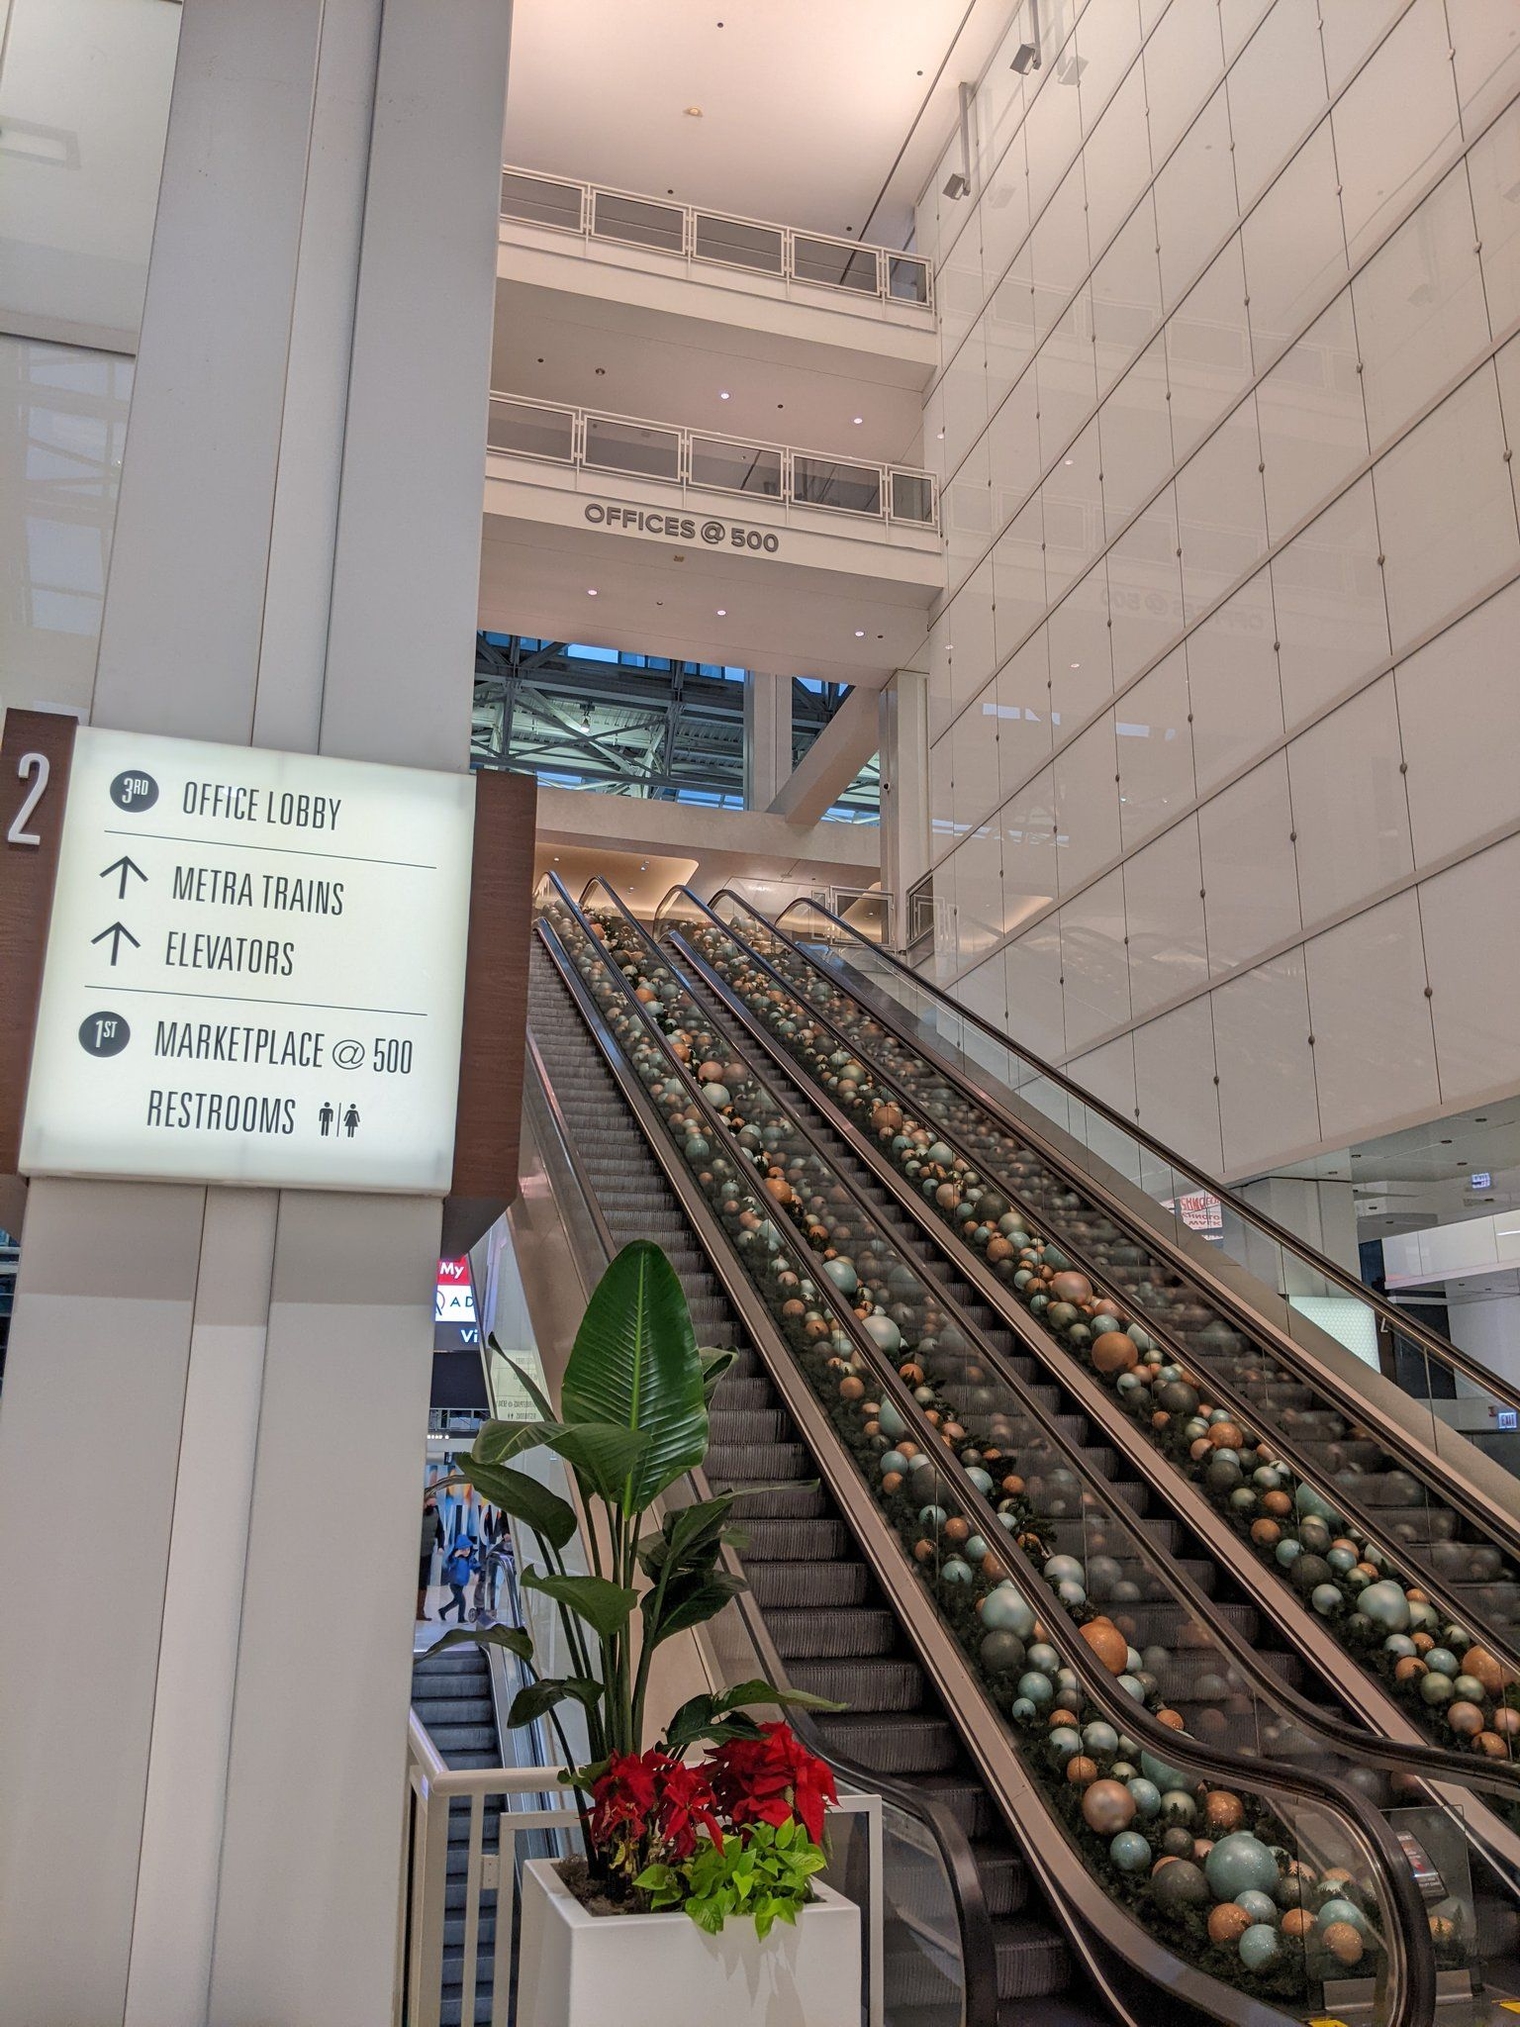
954,1846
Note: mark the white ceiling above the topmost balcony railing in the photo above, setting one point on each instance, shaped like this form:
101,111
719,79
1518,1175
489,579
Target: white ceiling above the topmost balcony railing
806,104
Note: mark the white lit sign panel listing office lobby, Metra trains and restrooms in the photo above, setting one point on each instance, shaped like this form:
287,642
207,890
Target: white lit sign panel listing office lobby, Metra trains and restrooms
254,970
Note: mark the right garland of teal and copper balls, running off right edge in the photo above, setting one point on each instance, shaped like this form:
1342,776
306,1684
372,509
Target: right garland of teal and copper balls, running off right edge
1460,1694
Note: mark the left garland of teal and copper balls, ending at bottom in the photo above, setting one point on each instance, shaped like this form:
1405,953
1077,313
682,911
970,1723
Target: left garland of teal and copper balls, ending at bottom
1253,1915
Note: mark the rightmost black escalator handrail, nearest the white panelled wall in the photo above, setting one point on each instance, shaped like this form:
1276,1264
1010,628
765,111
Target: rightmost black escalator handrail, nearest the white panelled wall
1410,1327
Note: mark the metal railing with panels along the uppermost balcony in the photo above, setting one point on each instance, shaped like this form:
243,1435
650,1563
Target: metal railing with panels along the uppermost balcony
718,240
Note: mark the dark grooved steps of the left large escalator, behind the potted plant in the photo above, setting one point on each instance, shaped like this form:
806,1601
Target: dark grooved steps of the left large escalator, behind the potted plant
832,1625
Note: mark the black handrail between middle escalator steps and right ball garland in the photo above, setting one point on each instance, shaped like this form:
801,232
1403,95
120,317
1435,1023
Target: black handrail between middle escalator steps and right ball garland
1426,1762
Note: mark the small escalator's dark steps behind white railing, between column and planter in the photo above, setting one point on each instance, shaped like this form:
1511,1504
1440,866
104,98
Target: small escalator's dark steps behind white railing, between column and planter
451,1694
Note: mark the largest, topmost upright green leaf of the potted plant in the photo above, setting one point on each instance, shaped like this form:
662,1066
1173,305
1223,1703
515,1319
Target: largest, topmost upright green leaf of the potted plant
635,1363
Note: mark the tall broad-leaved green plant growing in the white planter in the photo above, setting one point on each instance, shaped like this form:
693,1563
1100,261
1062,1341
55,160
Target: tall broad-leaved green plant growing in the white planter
633,1420
